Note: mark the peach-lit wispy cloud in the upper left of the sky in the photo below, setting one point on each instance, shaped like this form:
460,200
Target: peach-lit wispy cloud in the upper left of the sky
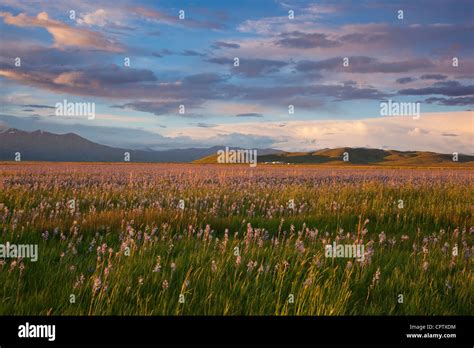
64,35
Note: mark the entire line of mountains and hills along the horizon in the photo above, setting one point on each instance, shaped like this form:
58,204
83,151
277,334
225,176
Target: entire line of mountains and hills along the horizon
70,147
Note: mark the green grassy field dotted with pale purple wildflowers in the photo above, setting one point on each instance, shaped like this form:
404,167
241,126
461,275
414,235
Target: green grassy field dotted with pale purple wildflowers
150,239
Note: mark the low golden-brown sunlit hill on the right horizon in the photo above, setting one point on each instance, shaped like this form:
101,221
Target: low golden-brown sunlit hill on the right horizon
358,156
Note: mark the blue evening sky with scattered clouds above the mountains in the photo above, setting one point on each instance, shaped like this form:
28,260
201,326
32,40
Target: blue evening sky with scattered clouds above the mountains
158,81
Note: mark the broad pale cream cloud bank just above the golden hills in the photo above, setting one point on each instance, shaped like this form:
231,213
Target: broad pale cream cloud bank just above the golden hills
399,133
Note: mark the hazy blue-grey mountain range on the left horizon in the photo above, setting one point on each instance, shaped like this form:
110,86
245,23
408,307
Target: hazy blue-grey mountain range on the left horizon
70,147
